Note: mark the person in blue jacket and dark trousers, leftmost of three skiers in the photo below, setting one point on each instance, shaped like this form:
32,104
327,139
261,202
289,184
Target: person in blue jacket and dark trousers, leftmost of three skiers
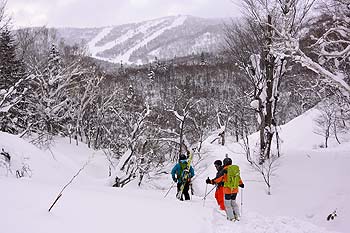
177,173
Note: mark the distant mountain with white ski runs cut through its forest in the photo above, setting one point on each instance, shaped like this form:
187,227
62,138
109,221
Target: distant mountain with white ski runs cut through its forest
138,43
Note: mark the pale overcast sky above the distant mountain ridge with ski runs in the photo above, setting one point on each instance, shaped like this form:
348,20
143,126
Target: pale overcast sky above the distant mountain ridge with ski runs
93,13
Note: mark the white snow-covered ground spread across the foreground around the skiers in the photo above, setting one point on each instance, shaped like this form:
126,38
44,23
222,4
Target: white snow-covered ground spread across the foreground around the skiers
309,184
